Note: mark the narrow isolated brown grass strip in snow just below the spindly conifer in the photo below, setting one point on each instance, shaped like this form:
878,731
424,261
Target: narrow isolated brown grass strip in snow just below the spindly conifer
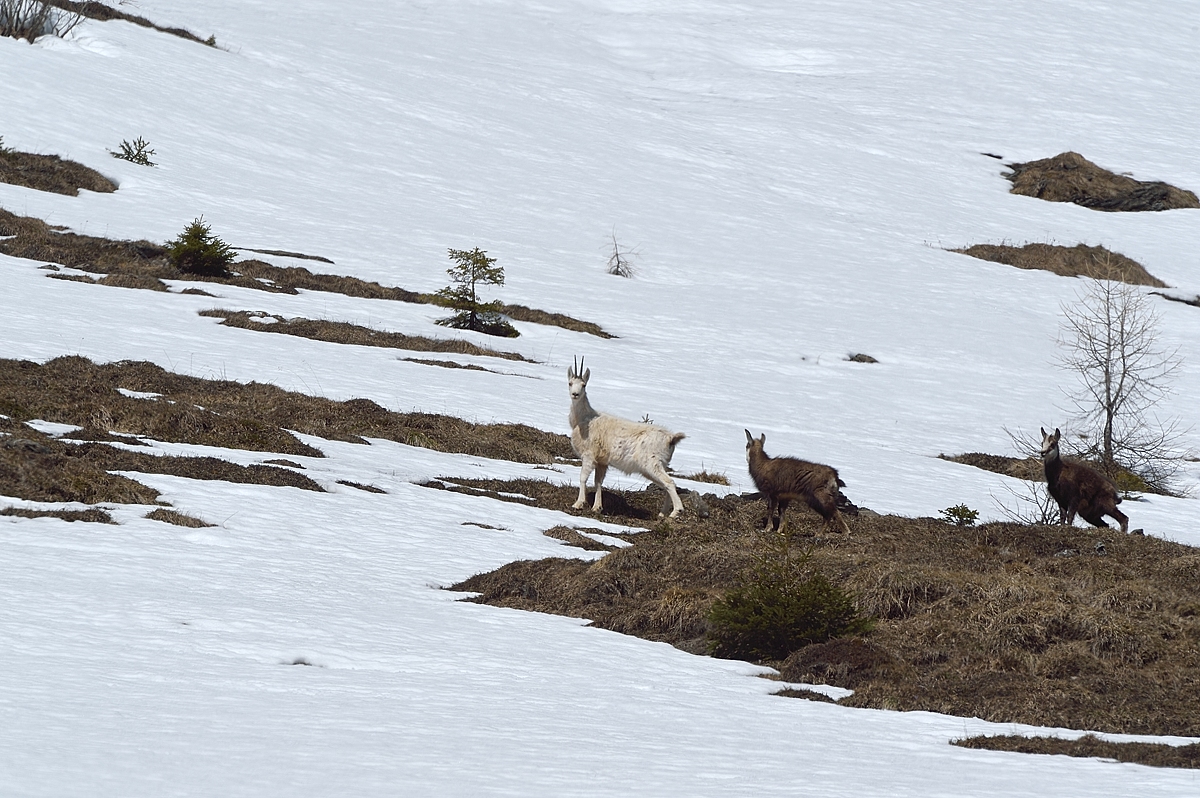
352,334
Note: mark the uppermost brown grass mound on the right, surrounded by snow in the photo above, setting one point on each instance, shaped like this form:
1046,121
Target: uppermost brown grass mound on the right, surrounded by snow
1071,178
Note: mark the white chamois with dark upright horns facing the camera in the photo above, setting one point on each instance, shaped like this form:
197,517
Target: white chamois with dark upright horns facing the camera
603,441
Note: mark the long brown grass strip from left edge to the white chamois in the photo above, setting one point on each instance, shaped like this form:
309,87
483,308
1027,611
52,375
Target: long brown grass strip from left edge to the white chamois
237,416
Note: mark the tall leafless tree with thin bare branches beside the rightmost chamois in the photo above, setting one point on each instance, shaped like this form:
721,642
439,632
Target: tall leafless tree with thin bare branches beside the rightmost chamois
1111,341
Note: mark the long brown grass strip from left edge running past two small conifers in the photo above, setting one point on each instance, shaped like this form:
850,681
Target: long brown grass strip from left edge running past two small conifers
143,265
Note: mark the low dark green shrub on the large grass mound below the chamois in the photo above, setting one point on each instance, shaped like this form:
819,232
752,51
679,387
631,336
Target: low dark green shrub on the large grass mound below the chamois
781,607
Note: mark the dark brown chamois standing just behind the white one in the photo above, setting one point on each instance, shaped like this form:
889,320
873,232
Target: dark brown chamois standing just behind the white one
783,481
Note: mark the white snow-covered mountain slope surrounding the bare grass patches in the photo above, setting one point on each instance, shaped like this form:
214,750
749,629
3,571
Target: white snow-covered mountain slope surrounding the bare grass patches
791,175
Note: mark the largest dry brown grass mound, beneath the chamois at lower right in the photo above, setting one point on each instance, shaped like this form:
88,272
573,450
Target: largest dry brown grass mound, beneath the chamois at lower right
995,622
